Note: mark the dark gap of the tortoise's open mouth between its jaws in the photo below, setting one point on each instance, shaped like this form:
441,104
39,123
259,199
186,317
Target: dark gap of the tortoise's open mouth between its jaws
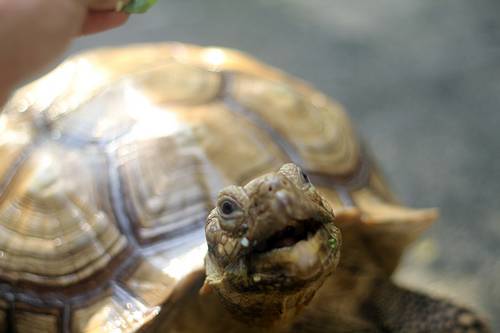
300,230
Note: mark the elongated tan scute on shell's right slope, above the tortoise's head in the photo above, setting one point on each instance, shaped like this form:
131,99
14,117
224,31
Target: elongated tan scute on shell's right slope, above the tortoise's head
320,134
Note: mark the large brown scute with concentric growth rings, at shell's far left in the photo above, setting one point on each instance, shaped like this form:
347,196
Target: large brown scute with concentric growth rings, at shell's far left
52,229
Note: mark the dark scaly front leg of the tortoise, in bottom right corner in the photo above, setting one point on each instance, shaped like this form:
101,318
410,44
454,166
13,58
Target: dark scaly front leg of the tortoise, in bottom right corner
397,309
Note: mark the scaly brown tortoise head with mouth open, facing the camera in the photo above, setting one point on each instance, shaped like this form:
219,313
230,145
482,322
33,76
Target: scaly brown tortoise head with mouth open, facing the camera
271,244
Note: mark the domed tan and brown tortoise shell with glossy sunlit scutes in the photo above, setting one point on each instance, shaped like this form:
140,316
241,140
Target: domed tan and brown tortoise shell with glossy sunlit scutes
110,164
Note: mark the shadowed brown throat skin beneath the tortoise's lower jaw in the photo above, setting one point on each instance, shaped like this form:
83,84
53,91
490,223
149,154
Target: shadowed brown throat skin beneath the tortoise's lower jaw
266,308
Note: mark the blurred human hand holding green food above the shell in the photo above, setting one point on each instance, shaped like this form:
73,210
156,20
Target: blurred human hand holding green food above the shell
34,33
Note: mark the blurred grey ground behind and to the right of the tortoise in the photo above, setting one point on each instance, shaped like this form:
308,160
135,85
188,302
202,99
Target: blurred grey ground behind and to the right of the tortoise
421,80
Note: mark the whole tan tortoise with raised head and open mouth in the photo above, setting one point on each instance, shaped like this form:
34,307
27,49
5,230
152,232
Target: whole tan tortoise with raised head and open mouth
115,165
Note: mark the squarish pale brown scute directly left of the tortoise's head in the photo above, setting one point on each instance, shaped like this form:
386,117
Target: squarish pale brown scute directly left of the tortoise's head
173,193
